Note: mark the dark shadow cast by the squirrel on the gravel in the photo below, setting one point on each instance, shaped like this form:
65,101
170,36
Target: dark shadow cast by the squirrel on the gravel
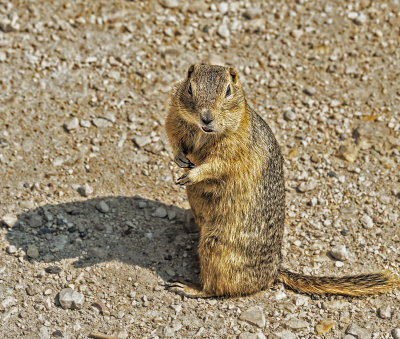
130,231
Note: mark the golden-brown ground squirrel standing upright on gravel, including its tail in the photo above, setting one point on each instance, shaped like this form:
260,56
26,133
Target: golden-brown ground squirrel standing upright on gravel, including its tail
235,186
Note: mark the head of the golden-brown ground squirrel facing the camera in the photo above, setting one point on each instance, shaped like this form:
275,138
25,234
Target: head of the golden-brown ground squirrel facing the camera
211,97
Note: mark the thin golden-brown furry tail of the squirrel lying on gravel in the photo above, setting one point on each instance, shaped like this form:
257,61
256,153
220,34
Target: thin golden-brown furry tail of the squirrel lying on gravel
354,285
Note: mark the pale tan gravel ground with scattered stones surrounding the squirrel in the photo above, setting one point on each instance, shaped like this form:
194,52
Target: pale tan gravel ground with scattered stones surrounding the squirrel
87,192
